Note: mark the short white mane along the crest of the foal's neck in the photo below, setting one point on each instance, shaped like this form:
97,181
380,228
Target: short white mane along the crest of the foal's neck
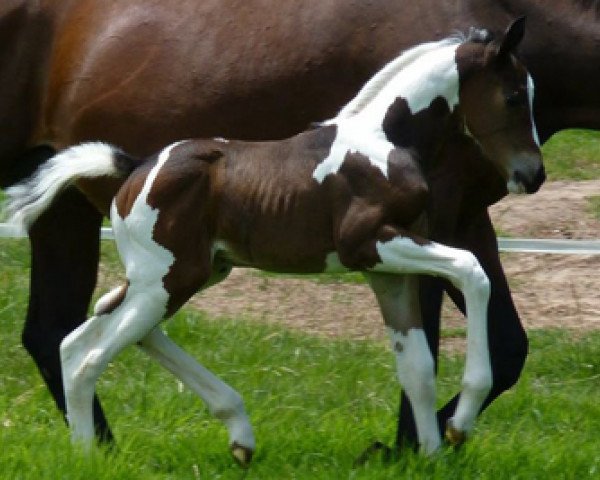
370,90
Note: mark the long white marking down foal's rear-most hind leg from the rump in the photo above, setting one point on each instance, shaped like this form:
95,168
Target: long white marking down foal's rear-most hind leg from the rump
86,352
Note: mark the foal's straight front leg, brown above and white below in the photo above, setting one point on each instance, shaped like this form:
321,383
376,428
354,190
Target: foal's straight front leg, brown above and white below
398,298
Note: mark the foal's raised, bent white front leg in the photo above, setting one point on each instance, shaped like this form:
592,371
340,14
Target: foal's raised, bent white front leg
402,255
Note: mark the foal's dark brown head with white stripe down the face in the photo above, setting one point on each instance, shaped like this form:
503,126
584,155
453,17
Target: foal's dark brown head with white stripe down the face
496,100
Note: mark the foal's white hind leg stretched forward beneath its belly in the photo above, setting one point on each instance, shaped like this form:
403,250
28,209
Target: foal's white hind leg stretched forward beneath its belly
222,400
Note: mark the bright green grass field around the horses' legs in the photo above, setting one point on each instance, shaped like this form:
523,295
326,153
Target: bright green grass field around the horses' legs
315,403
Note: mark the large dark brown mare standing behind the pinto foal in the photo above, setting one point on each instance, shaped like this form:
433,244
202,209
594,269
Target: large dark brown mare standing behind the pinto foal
144,73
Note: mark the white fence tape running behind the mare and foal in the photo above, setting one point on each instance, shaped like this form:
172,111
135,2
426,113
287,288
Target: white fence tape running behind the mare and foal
520,245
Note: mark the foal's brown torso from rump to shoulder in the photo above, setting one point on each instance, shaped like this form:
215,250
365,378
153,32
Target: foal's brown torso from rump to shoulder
237,199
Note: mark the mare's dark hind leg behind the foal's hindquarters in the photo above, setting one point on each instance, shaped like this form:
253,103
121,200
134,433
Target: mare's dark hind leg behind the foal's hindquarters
65,249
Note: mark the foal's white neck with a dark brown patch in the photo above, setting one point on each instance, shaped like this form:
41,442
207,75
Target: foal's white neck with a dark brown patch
410,102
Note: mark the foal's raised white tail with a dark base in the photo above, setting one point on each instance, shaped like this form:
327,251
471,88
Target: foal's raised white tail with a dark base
28,199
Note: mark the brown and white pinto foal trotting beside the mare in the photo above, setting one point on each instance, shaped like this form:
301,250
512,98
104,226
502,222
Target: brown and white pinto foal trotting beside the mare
347,195
